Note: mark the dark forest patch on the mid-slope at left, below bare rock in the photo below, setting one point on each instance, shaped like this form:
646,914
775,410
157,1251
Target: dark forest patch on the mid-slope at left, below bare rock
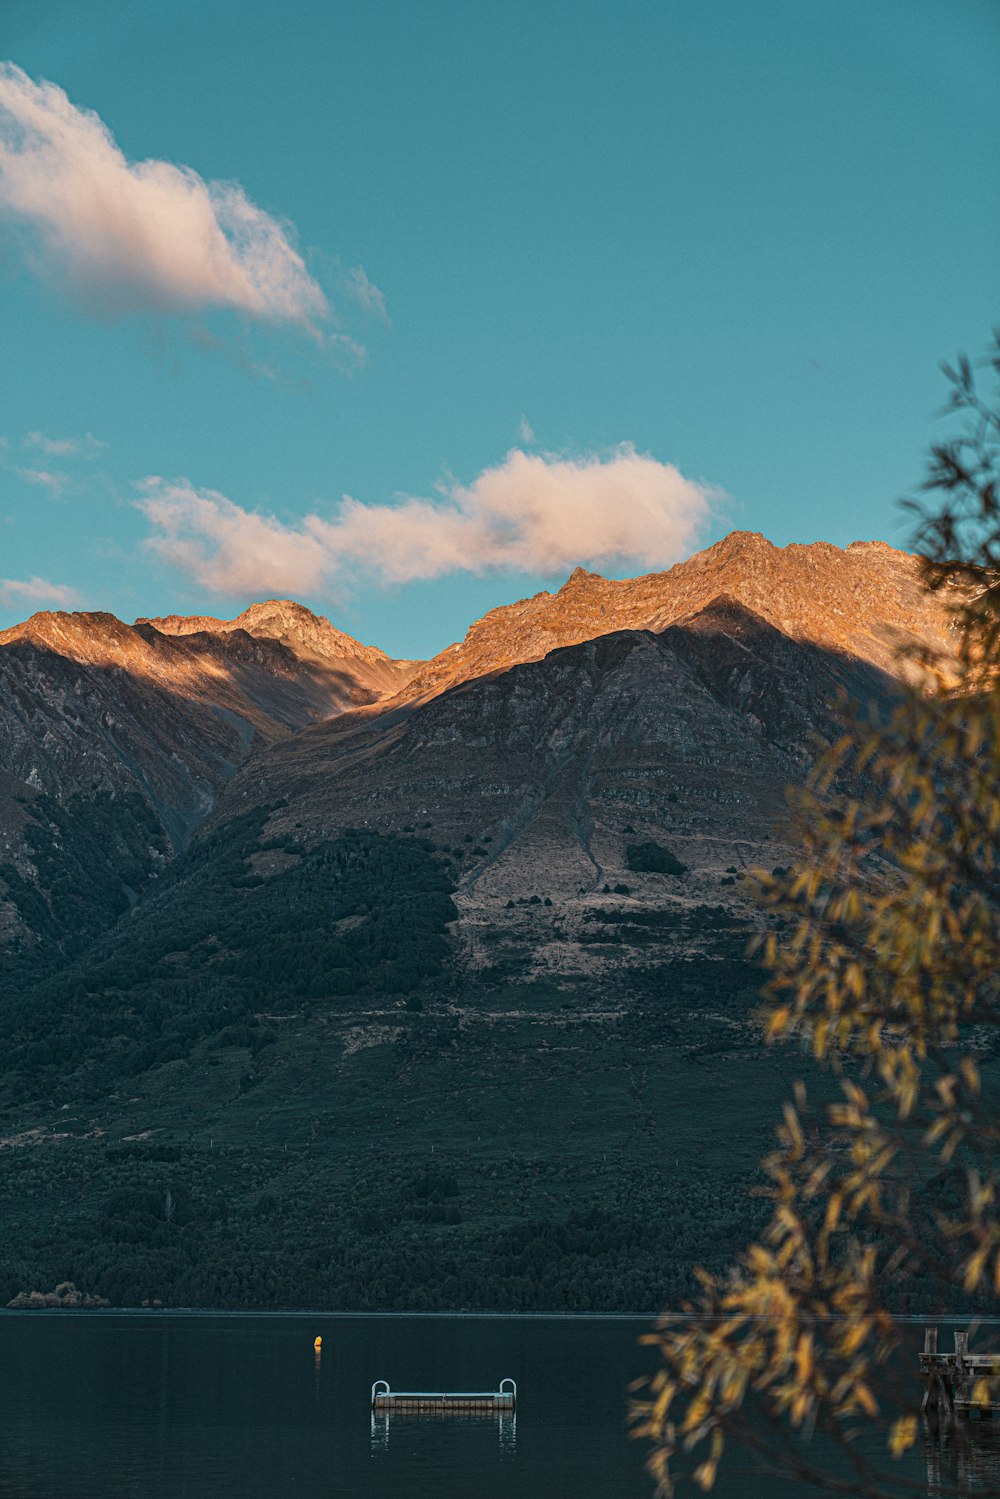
221,942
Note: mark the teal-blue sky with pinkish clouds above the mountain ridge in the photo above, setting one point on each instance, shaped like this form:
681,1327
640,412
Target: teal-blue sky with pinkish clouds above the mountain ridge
406,310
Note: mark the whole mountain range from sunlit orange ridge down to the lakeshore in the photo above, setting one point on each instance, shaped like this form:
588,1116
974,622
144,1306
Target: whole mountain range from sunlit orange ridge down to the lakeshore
449,953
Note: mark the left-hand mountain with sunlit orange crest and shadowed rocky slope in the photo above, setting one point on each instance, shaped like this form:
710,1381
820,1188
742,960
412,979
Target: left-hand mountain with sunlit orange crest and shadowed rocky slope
136,731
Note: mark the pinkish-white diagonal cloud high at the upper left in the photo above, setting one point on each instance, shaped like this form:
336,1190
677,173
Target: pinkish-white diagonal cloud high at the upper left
139,236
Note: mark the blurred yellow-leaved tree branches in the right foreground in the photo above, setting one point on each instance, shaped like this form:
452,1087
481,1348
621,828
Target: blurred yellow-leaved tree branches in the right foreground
888,956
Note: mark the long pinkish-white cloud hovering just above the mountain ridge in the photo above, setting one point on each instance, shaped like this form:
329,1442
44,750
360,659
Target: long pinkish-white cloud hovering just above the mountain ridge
531,513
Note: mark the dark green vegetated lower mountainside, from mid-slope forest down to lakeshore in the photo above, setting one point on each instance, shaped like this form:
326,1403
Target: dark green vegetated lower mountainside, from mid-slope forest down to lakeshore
226,1004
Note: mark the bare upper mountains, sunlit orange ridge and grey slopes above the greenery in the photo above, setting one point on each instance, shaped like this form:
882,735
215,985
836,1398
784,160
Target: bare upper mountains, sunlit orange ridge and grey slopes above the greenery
179,720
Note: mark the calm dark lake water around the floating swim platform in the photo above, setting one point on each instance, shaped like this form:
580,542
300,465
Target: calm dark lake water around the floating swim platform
176,1407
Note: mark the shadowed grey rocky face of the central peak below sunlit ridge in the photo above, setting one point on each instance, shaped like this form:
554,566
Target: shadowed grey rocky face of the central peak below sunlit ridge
543,785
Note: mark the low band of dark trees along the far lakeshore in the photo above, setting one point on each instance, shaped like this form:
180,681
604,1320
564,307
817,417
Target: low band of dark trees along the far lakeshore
206,1230
